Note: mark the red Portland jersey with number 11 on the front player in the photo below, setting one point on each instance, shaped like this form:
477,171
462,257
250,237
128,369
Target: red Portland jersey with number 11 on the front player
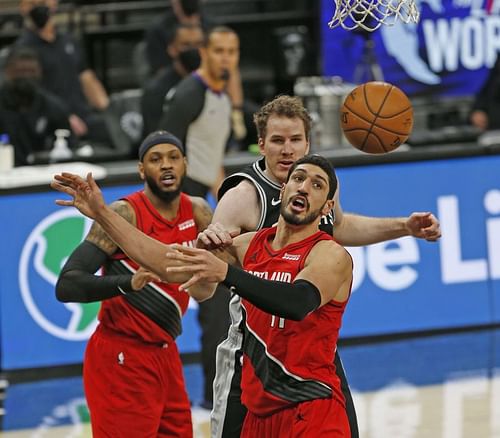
287,362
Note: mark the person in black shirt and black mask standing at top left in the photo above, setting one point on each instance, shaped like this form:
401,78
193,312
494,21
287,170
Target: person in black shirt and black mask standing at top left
65,72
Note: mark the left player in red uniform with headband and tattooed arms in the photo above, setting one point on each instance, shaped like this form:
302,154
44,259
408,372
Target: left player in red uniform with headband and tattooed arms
132,372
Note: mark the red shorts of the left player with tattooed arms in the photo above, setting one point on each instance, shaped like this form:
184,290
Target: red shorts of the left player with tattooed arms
135,389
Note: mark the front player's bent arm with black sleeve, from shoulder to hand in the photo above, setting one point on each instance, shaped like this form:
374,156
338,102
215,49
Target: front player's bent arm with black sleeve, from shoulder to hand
327,277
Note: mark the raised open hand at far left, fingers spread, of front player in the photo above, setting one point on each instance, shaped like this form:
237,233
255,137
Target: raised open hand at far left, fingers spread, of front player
87,197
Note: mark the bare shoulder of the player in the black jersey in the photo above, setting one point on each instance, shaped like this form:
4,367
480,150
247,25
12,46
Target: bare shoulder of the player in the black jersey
239,208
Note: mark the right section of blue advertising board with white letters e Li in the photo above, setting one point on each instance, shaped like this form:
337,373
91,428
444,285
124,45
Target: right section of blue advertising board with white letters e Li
409,284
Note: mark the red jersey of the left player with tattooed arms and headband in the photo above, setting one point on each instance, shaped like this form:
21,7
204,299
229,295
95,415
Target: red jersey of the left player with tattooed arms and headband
154,313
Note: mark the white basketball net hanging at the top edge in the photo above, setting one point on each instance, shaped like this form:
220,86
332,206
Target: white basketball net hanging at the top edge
369,15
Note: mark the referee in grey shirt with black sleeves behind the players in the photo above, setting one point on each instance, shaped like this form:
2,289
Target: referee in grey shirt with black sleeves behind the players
199,113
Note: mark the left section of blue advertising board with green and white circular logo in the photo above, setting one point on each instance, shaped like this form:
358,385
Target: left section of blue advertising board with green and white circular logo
36,329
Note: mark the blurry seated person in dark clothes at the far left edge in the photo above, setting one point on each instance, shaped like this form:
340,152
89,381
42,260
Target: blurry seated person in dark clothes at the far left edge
28,113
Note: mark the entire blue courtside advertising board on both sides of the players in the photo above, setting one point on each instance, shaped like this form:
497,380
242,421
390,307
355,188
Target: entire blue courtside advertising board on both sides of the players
405,285
